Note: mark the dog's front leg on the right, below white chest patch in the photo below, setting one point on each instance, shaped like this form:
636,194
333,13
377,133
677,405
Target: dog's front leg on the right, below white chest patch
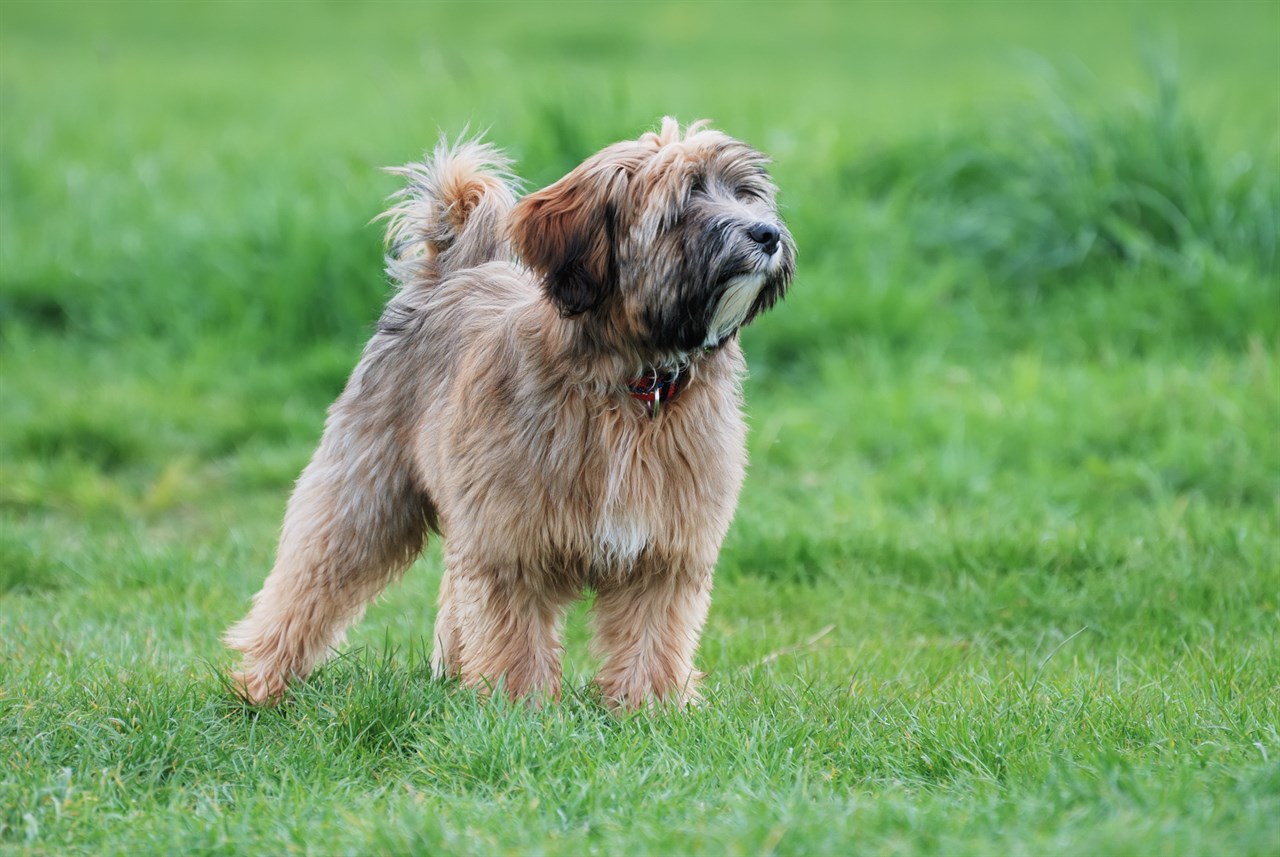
648,631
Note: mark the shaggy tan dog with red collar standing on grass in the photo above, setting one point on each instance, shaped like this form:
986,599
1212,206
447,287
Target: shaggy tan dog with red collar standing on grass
556,389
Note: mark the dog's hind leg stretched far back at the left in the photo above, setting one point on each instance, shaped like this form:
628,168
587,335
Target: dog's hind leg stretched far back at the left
355,521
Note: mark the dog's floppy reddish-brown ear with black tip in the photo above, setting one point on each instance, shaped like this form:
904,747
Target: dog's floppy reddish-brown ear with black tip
566,233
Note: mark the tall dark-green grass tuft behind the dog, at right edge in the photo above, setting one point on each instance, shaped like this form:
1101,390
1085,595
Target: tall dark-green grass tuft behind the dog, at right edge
1071,190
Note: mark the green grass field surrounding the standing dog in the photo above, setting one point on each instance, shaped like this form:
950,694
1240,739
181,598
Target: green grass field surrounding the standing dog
1007,572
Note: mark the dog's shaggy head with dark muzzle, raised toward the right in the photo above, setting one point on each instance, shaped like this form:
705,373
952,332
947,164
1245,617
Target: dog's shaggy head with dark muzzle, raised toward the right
665,245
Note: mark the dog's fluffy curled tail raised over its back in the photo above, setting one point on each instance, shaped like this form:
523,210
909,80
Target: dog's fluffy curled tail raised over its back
451,214
